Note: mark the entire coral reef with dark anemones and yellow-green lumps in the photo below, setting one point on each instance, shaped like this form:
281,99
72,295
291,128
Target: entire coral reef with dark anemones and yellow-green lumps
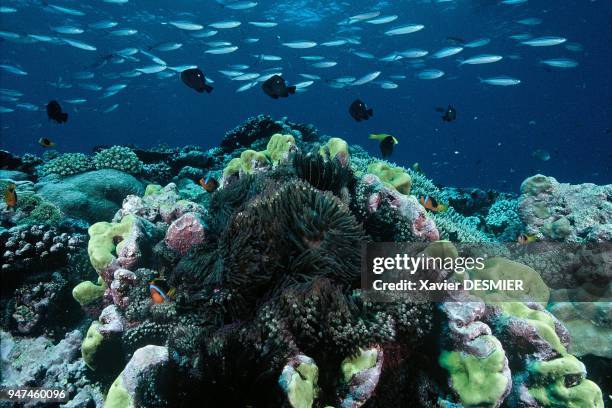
250,294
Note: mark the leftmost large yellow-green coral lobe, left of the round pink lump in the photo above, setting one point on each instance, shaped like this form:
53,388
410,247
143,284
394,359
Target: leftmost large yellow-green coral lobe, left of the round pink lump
103,237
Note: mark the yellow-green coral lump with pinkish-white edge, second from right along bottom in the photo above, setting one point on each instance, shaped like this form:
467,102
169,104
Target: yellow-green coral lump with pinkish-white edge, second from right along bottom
478,381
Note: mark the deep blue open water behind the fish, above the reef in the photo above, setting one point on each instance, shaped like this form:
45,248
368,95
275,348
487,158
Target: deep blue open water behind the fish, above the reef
566,112
